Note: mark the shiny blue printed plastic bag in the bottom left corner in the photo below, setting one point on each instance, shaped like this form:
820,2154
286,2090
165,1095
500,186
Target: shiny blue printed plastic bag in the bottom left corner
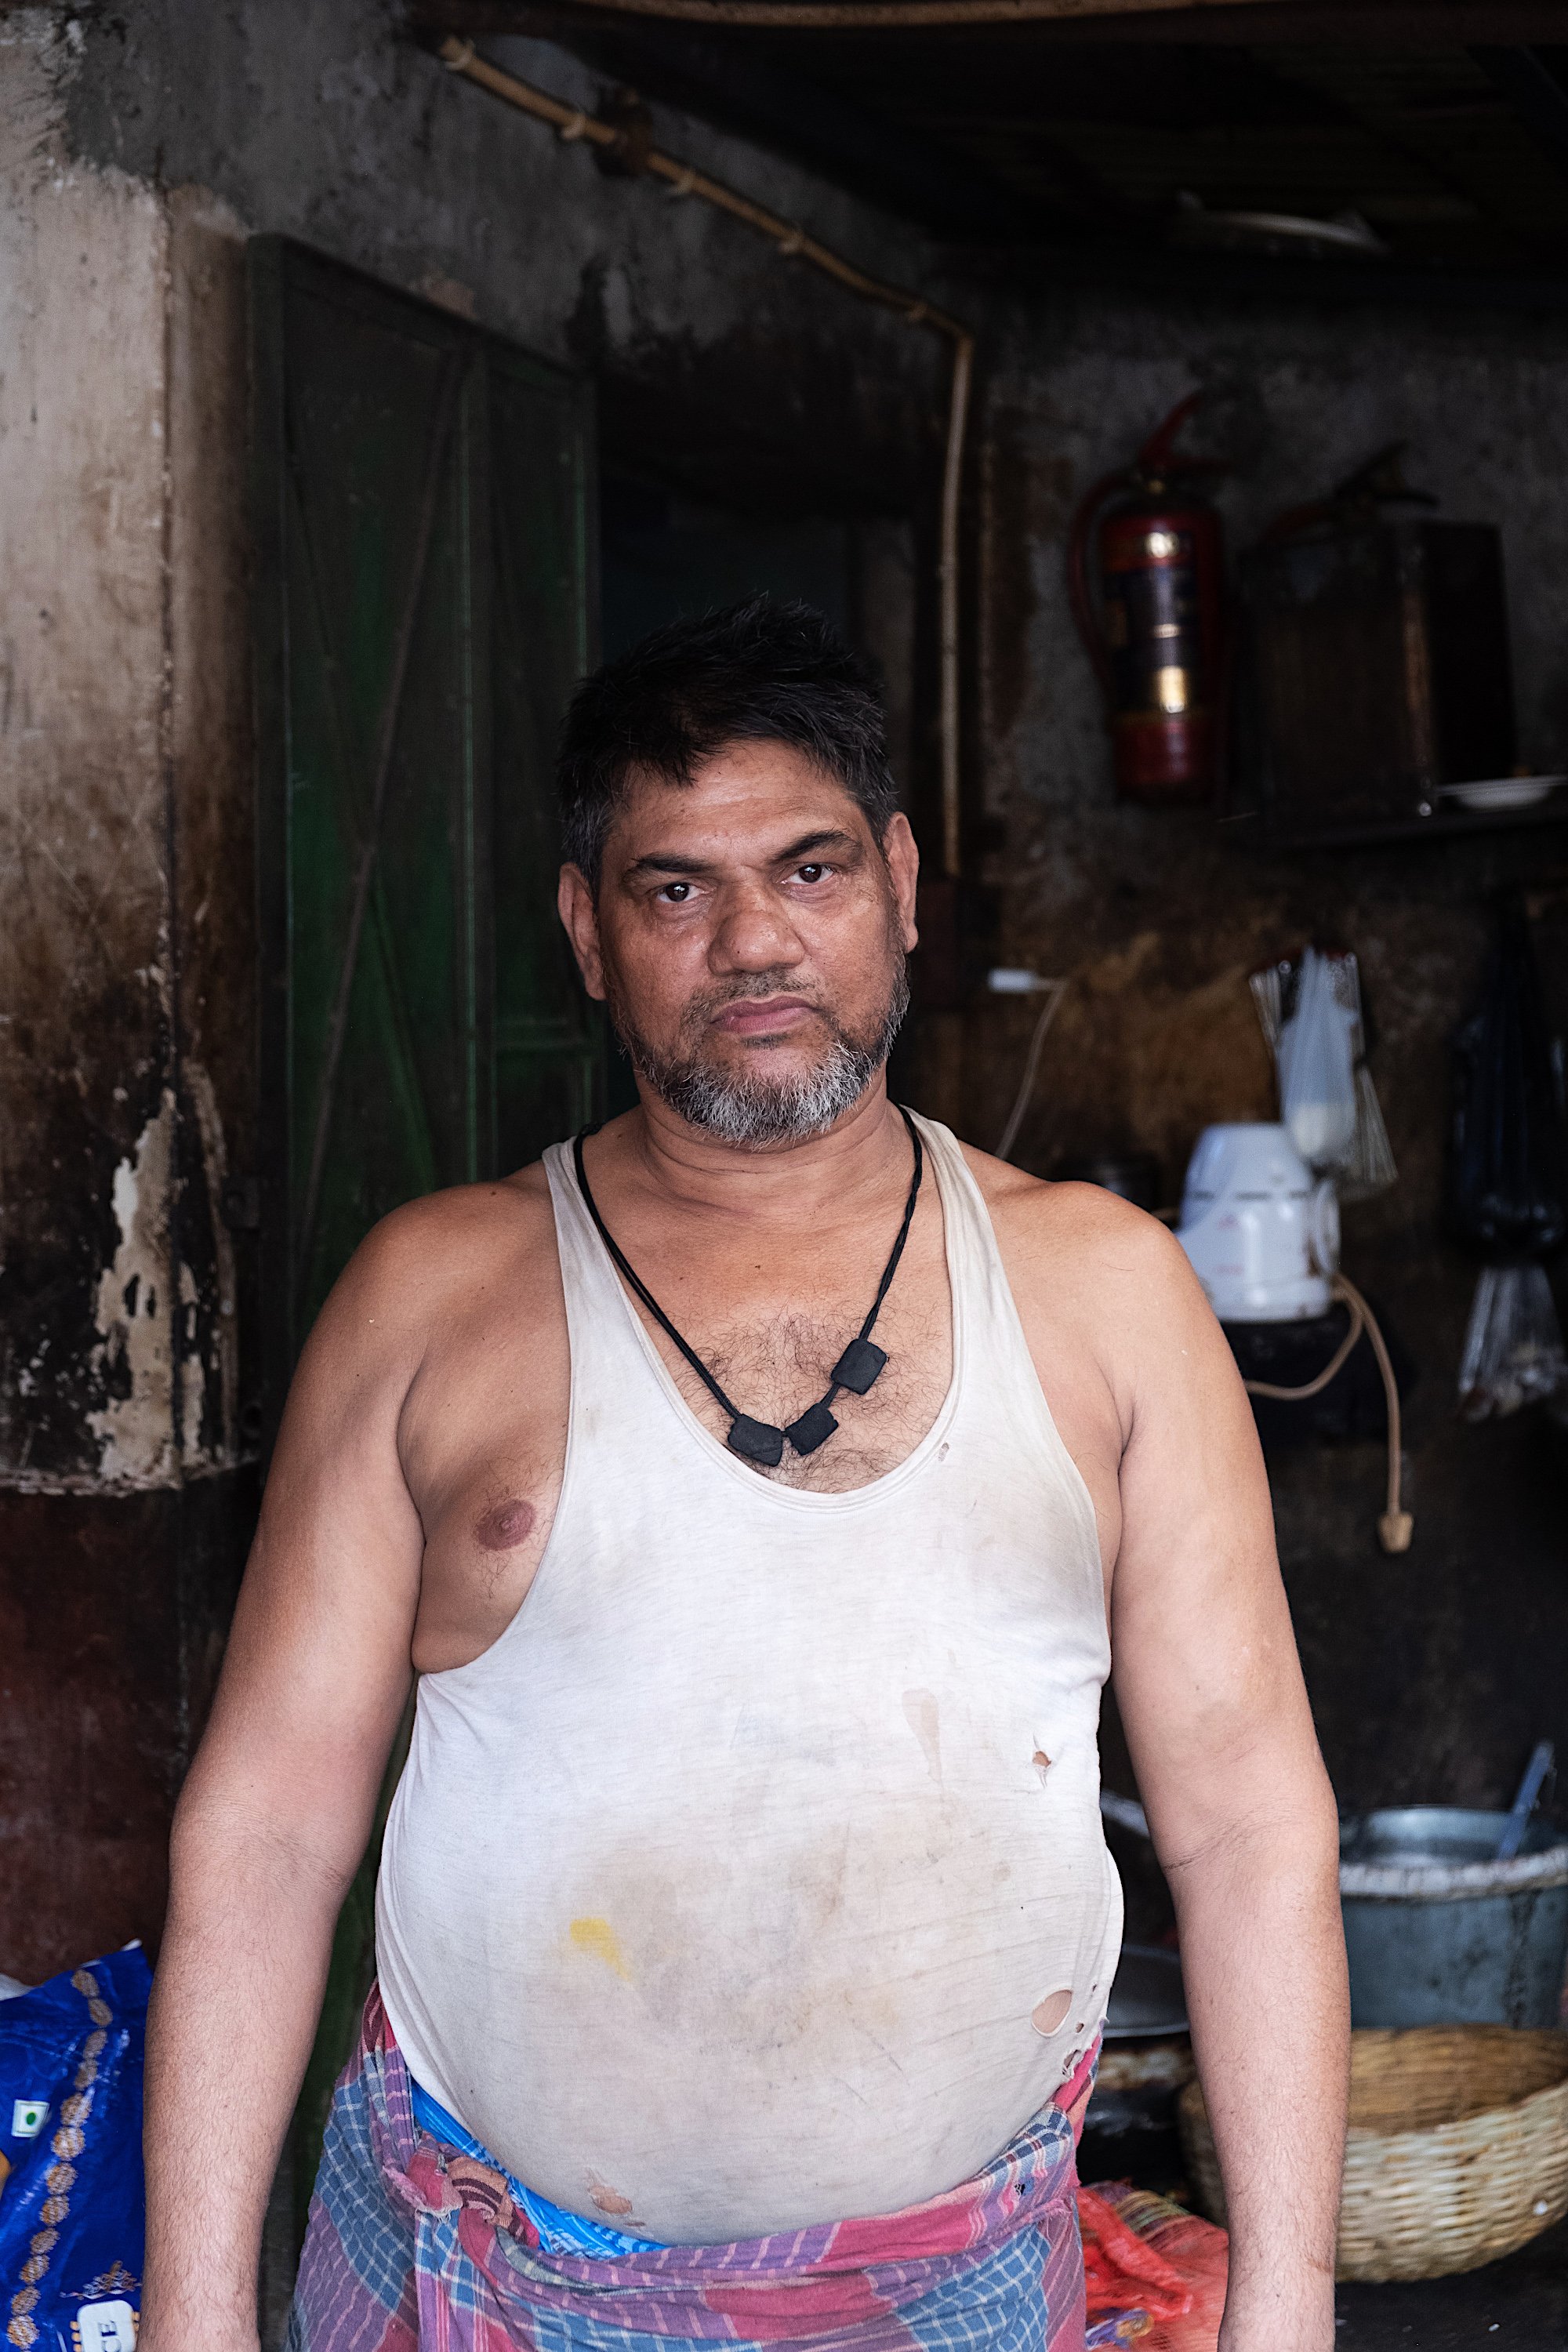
72,2200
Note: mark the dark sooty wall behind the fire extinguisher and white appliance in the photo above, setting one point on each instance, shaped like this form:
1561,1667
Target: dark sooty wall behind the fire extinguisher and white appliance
1435,1673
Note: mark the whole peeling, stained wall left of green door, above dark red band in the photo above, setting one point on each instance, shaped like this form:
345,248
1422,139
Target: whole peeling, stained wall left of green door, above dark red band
121,810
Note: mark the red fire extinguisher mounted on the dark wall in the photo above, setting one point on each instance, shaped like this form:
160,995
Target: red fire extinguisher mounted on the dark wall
1158,639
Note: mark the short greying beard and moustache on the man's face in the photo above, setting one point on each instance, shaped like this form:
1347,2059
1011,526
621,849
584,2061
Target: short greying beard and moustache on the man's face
756,1111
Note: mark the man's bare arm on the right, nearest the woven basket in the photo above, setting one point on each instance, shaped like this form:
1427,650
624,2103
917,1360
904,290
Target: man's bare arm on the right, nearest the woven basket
1240,1805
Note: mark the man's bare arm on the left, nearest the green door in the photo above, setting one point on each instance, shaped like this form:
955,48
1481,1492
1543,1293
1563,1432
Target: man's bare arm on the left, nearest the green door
281,1800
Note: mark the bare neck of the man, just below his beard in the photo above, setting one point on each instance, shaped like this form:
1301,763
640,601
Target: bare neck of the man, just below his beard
789,1184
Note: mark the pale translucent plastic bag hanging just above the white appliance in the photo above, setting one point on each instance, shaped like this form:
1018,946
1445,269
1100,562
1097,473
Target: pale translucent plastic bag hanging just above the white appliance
1311,1017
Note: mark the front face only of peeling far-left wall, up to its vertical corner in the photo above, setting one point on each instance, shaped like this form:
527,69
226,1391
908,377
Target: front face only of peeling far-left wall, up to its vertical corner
83,947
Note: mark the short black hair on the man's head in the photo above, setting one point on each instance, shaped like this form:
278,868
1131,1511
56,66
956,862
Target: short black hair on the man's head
753,674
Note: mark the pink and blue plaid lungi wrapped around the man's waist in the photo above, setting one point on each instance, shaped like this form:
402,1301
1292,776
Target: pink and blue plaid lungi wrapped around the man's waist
413,2243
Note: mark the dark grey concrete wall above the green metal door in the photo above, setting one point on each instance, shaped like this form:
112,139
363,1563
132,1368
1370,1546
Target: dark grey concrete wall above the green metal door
321,121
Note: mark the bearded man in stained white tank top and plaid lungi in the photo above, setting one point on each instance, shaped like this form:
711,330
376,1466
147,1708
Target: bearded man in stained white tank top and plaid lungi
751,1490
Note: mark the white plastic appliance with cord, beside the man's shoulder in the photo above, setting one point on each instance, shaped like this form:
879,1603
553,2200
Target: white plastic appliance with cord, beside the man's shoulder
1261,1231
